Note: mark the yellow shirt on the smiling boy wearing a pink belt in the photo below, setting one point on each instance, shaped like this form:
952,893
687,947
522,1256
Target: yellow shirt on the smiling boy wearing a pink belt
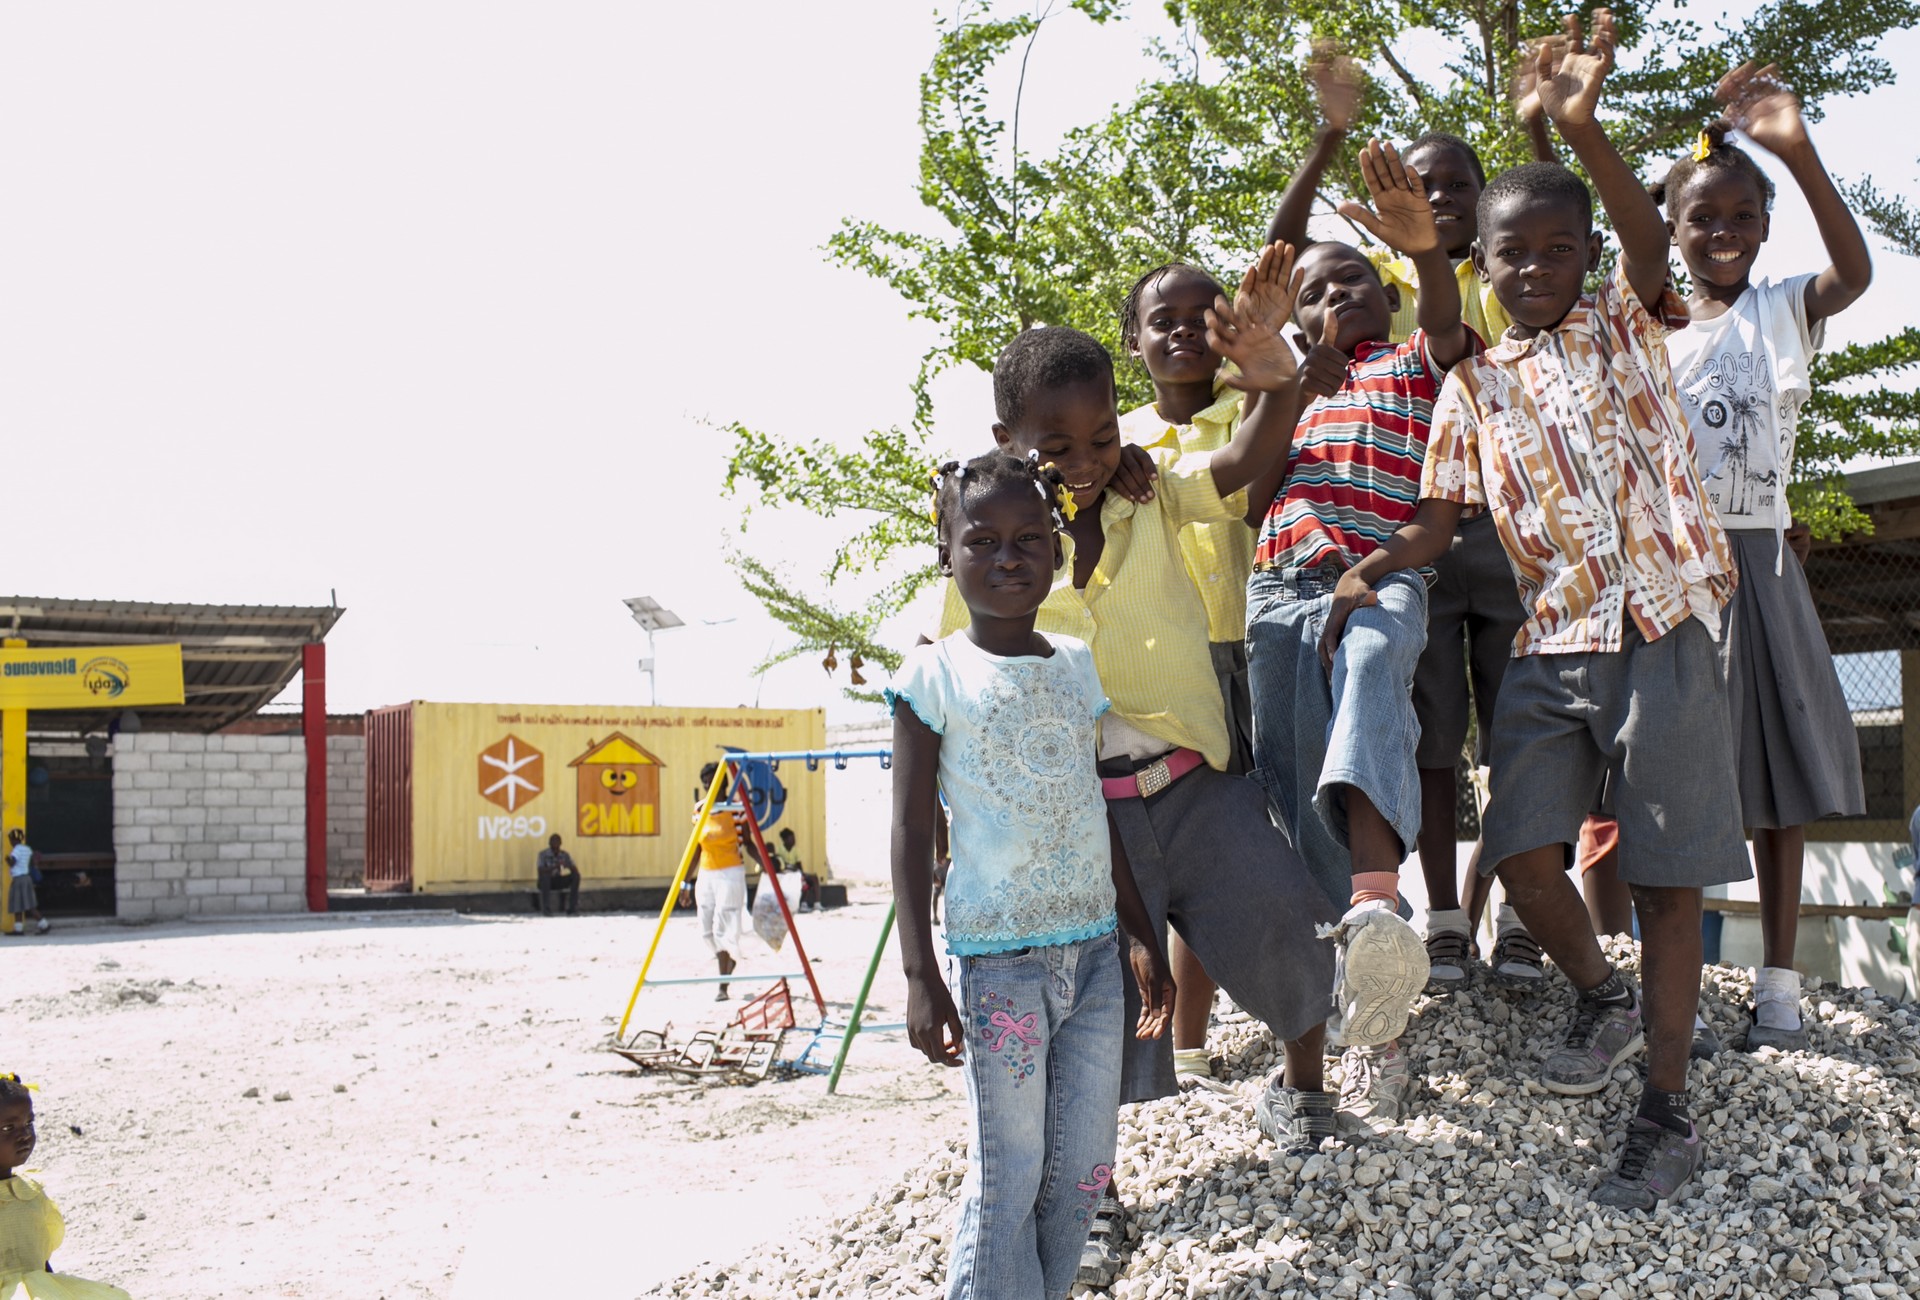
1141,614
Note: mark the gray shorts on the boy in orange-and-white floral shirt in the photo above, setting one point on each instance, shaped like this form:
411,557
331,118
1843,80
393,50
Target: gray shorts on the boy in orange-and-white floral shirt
1648,719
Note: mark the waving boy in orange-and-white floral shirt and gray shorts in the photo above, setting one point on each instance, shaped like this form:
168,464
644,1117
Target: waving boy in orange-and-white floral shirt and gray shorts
1572,435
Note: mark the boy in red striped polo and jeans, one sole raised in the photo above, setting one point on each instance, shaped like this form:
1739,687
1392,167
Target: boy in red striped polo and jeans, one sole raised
1335,738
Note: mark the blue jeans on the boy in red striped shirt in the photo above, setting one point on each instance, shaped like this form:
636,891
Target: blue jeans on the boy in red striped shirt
1316,734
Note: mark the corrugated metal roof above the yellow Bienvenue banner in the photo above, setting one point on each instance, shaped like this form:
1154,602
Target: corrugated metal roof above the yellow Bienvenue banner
235,658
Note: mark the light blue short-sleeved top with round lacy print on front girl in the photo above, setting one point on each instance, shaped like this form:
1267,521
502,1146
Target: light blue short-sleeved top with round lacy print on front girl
1028,825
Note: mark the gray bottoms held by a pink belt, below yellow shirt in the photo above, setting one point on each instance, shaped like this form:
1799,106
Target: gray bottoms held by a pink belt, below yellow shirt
1209,861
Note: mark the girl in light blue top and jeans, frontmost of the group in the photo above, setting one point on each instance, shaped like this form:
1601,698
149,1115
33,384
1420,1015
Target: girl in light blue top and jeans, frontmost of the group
1001,721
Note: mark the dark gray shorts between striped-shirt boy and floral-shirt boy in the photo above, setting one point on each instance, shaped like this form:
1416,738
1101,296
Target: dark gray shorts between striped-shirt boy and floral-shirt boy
1474,612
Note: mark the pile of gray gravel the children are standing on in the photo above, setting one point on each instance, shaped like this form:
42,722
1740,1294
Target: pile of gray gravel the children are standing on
1483,1192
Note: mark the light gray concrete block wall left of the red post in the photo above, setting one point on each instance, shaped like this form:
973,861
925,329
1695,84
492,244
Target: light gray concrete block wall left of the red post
210,825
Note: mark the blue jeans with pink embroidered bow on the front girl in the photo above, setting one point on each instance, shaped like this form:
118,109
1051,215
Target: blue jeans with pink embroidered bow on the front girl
1044,1084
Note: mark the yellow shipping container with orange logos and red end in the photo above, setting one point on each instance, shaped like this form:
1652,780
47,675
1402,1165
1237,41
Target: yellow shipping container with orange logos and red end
489,784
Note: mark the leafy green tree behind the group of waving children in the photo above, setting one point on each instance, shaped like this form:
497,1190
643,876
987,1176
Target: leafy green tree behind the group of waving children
1189,170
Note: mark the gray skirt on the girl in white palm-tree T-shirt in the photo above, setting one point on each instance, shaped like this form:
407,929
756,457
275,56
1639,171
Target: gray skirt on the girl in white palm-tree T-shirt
1798,754
